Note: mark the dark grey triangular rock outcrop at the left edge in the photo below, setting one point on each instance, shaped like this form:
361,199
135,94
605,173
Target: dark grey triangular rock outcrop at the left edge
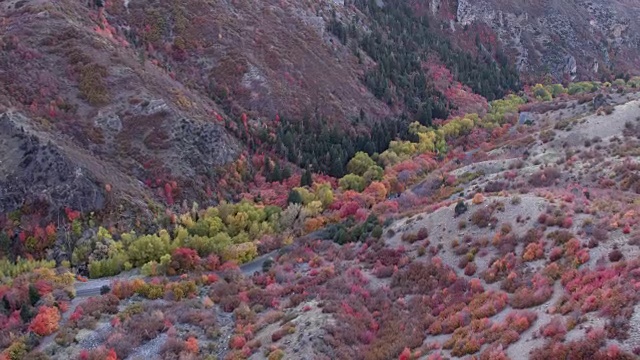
33,171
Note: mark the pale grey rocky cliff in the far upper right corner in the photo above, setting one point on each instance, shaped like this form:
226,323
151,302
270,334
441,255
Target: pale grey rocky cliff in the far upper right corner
575,39
